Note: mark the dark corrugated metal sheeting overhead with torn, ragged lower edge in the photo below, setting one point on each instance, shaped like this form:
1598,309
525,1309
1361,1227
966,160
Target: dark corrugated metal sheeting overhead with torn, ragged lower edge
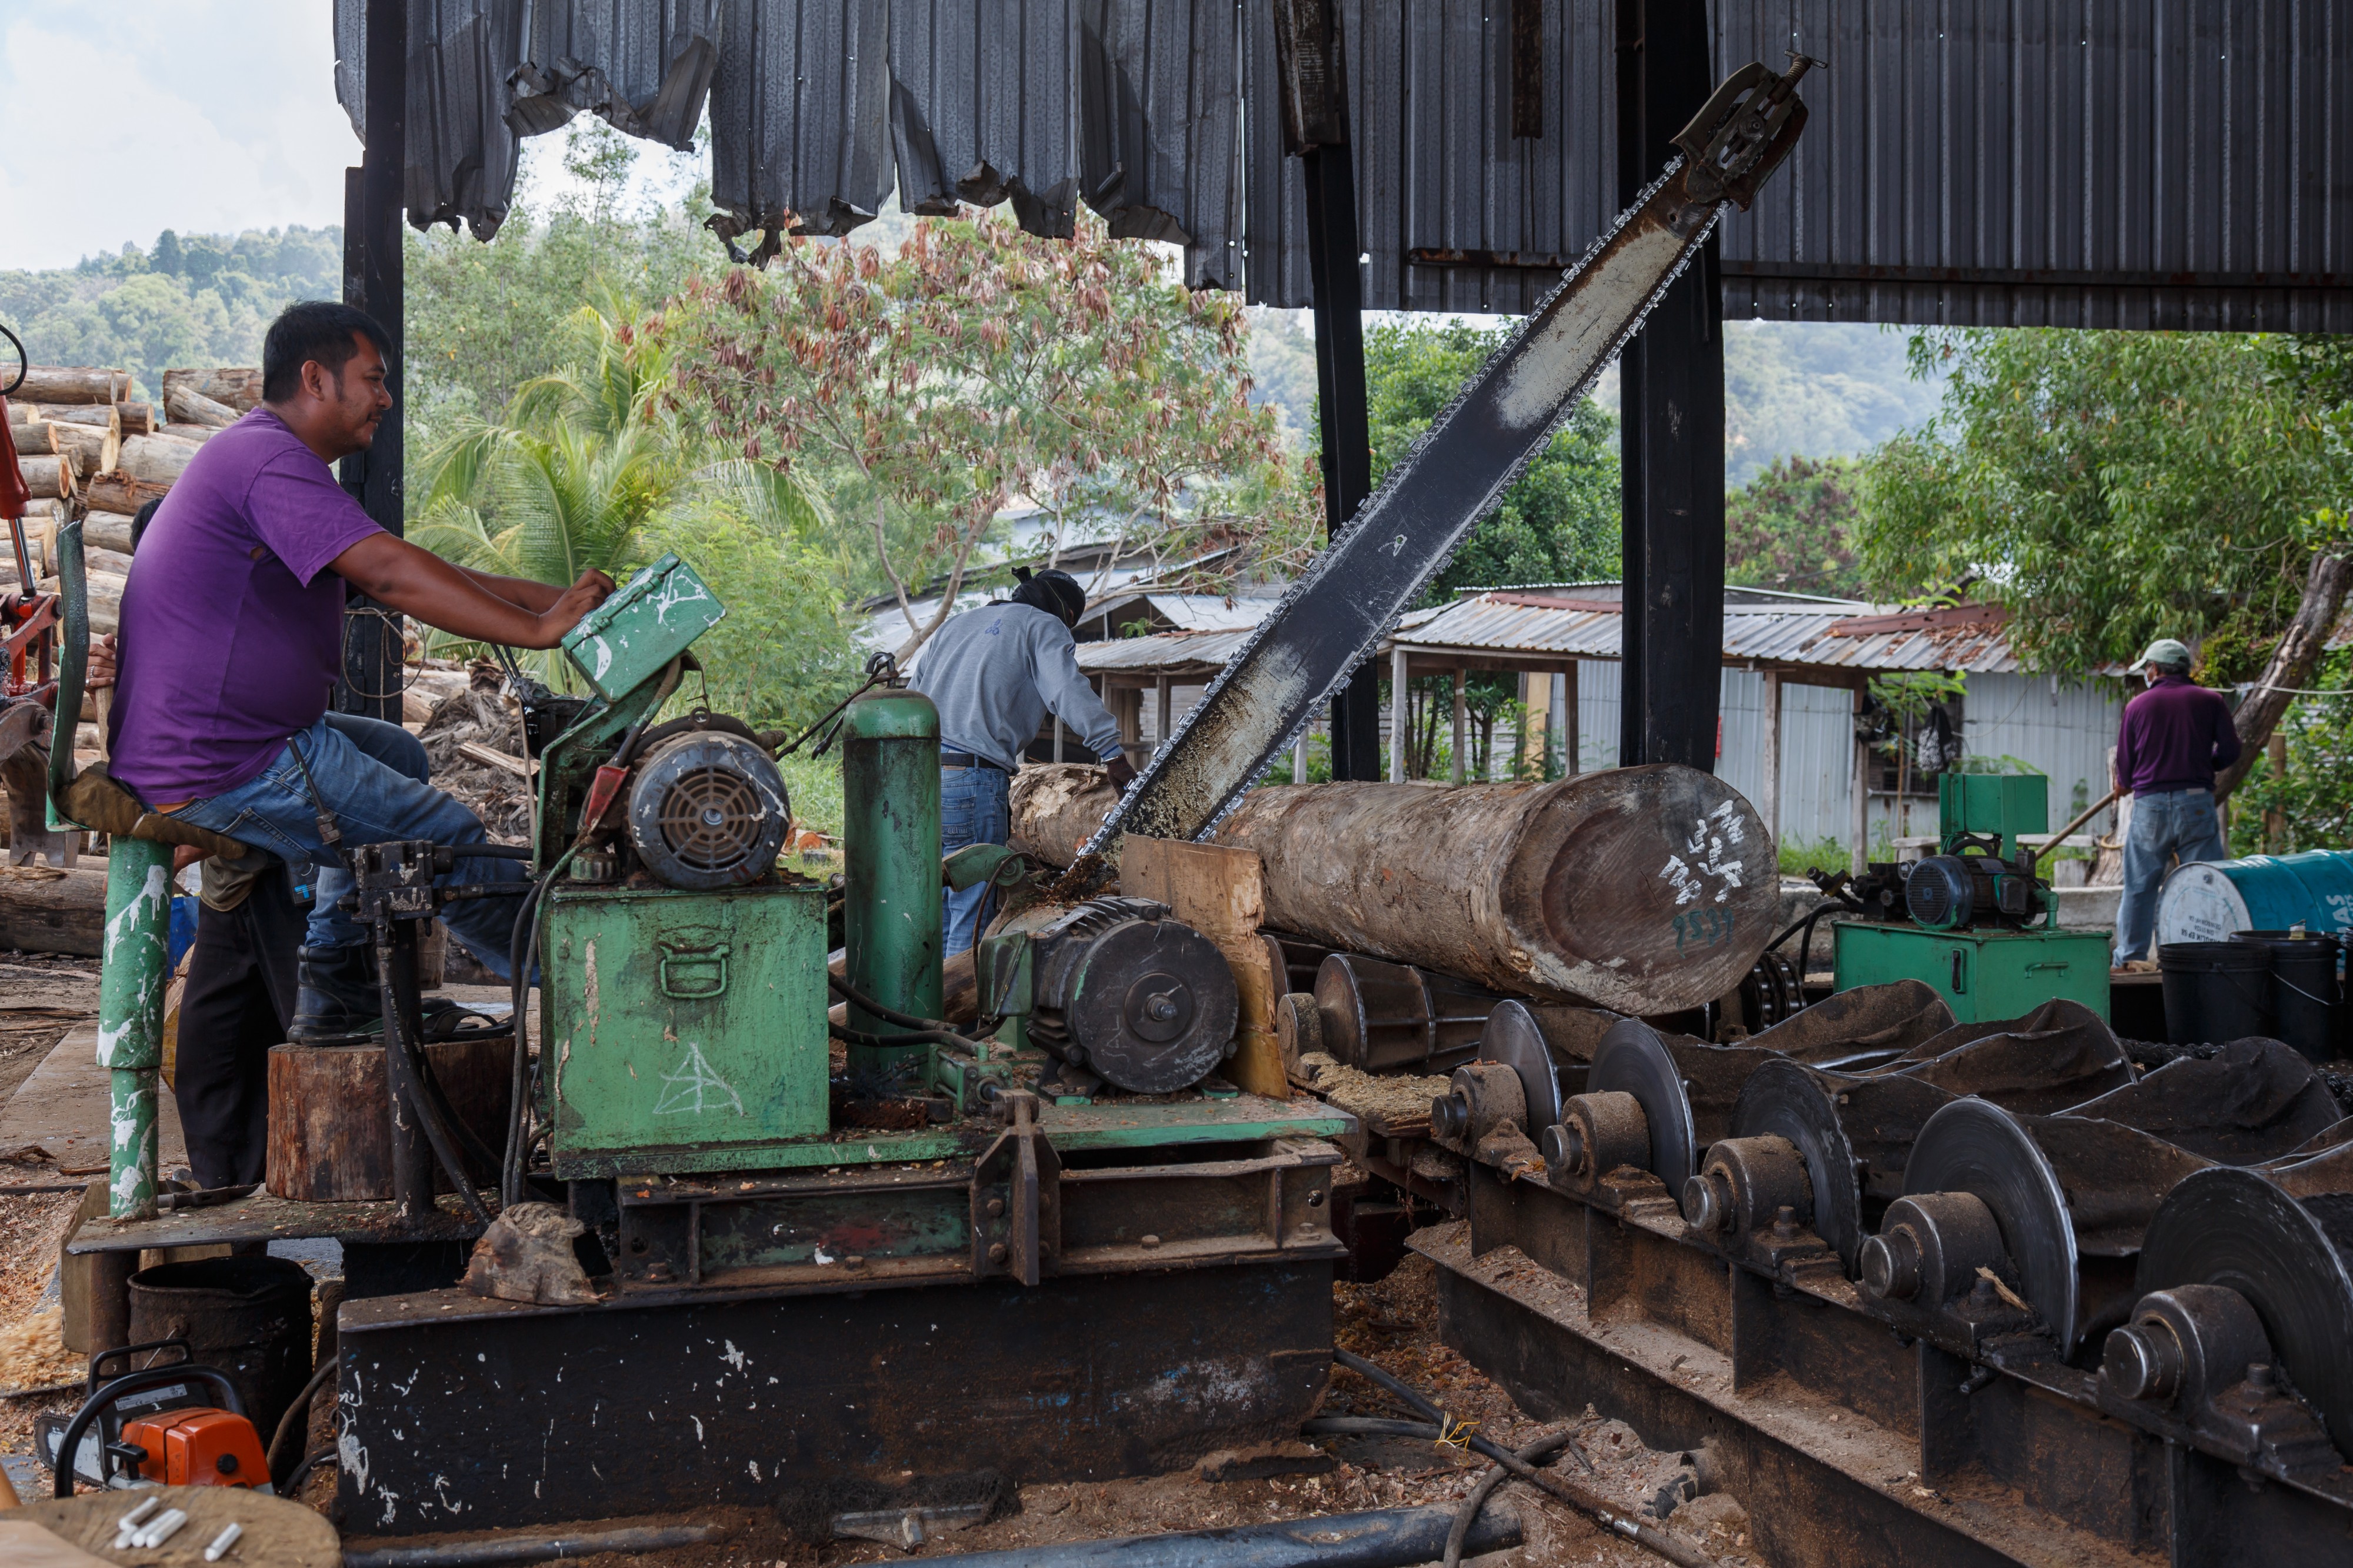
2140,164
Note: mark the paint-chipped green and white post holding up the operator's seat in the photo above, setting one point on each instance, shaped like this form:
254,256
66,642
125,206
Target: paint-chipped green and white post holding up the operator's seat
133,981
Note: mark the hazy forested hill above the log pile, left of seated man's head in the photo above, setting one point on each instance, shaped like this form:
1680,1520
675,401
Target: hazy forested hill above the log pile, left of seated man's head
189,300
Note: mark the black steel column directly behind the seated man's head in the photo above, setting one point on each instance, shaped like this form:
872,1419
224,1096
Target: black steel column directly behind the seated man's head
373,281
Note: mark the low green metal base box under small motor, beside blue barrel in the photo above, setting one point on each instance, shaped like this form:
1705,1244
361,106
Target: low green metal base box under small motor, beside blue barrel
1982,974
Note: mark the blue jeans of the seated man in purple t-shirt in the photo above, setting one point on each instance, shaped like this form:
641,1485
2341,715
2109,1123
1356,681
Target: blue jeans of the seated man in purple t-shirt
373,802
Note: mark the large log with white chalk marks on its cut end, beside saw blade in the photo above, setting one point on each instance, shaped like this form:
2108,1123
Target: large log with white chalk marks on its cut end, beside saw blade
1639,889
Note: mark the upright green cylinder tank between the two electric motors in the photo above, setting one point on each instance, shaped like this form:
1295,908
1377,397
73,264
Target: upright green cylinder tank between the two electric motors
893,886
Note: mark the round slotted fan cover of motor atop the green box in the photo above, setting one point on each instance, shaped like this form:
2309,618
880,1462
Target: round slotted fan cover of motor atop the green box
707,811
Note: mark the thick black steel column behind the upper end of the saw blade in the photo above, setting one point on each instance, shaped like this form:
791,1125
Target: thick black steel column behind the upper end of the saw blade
1672,423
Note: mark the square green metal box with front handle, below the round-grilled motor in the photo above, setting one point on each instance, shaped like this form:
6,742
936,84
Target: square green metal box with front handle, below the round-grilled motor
684,1030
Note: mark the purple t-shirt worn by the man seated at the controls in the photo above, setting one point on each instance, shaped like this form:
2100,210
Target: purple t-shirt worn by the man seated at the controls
232,627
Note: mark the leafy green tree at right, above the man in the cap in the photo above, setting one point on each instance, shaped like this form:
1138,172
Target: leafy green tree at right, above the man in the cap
2112,486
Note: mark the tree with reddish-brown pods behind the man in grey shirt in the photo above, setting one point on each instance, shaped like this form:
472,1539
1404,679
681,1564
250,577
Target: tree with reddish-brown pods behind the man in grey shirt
978,364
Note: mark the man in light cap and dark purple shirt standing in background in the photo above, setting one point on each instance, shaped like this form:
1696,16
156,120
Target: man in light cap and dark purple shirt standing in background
2175,738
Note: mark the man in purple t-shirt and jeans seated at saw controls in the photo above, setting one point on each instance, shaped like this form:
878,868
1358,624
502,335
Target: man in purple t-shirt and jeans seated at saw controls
234,637
